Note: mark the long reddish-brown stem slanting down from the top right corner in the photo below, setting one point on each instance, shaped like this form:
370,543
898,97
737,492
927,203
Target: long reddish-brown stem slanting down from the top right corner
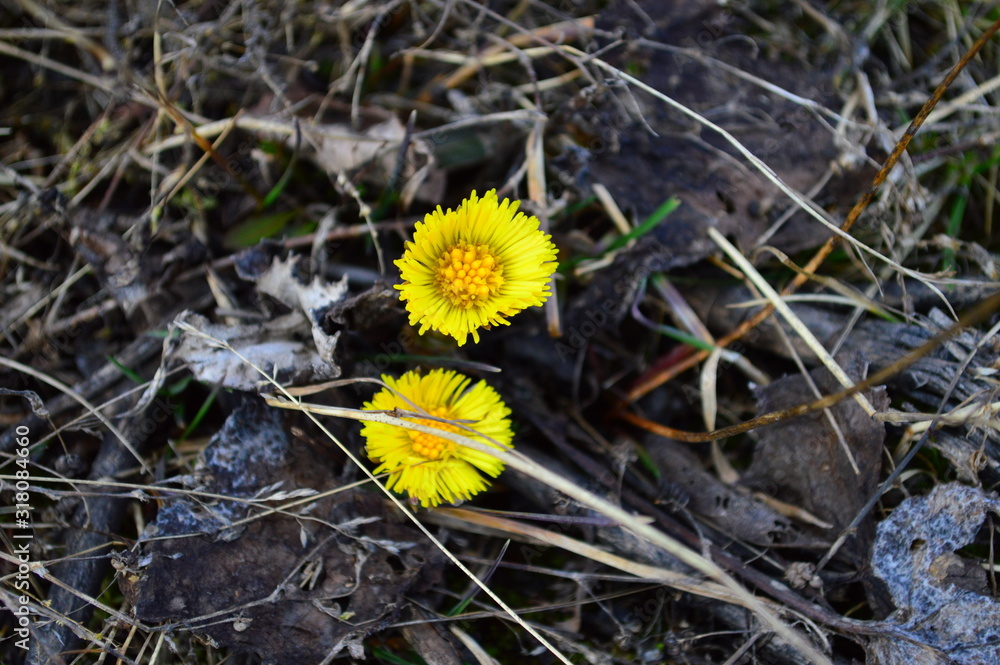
852,216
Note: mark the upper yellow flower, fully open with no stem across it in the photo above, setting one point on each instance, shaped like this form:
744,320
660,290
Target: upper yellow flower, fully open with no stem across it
472,267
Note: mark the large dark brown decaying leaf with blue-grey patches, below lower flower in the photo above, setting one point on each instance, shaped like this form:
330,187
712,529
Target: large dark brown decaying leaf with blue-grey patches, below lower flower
292,587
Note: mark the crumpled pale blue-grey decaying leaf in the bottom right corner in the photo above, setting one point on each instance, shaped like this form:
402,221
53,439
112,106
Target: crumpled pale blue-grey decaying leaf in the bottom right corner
941,600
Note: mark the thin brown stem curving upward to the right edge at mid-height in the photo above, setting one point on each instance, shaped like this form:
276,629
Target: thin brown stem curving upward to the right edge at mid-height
984,309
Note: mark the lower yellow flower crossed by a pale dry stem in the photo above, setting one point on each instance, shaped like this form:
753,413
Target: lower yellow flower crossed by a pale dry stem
431,469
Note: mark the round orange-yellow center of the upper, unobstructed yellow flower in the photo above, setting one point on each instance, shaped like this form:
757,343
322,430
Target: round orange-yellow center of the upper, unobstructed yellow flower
469,274
